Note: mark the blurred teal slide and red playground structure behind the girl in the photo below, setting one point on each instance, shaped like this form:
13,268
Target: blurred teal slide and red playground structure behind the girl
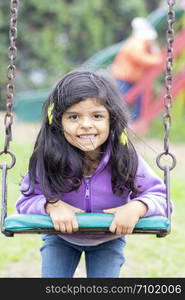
28,104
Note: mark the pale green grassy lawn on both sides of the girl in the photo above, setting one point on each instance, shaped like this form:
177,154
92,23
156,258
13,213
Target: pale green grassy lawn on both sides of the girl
146,255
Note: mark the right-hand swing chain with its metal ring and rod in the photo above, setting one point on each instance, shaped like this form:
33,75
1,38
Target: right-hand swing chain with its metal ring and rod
168,102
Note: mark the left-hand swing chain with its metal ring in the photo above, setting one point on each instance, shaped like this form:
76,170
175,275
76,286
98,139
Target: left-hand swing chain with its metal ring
8,119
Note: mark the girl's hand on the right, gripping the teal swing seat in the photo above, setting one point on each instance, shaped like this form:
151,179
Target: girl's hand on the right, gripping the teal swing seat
126,216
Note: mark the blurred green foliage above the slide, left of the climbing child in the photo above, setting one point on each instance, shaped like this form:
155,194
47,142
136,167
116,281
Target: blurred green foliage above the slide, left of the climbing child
56,36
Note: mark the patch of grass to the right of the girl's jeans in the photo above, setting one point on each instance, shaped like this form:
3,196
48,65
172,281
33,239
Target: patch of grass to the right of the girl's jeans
148,256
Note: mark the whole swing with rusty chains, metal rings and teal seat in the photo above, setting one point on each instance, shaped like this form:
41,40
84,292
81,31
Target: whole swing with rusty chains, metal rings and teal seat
89,223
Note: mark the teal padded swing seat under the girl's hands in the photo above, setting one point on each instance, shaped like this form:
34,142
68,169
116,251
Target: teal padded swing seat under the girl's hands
90,223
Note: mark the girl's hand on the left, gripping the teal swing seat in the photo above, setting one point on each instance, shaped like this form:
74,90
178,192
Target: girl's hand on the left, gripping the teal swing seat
63,216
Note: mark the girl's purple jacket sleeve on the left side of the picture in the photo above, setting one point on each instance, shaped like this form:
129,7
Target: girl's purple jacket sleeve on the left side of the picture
33,203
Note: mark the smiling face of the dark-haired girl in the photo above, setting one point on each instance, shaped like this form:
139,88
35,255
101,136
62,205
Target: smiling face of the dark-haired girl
86,125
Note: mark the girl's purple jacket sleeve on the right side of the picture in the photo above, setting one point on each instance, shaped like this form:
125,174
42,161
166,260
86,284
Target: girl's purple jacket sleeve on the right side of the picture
152,190
